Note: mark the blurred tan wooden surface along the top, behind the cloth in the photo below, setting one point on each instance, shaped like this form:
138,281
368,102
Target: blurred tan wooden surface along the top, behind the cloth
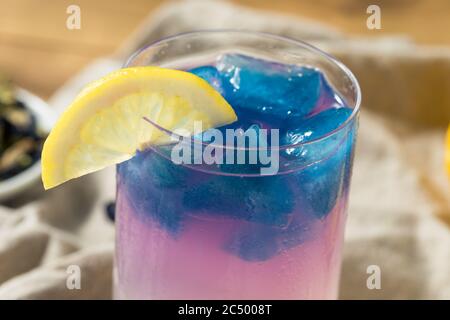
40,53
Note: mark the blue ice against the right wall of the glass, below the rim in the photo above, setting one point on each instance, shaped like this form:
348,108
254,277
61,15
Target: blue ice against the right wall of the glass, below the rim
321,182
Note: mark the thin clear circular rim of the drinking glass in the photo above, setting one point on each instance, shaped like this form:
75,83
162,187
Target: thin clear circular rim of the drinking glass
268,35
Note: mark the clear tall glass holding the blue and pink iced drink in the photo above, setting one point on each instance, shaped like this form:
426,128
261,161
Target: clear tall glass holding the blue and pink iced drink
230,231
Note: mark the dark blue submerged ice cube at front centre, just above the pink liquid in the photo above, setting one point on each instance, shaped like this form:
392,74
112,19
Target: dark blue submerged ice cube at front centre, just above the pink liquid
257,199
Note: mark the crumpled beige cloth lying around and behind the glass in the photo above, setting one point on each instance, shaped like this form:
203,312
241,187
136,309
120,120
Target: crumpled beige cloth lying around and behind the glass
399,202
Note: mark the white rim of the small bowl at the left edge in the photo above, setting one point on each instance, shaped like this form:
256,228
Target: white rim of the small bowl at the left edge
45,118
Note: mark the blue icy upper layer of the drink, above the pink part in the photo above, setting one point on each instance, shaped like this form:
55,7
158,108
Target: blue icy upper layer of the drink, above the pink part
275,211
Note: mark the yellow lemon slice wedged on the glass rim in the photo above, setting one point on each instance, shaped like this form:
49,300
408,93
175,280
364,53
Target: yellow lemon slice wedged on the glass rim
105,126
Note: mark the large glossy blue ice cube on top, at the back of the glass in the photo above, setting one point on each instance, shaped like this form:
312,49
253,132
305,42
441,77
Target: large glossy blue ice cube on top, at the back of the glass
269,88
